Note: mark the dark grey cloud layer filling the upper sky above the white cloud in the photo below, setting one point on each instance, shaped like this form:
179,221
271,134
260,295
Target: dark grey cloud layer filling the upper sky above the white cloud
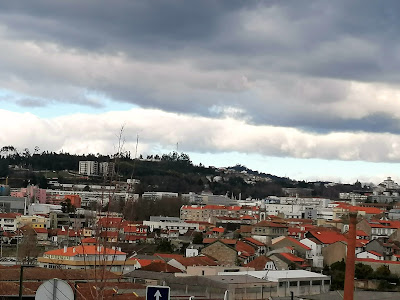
320,66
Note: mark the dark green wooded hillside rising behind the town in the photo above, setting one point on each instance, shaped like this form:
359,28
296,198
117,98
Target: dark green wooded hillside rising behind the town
172,172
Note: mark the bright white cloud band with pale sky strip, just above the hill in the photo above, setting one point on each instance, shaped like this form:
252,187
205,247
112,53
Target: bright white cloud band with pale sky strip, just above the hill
83,133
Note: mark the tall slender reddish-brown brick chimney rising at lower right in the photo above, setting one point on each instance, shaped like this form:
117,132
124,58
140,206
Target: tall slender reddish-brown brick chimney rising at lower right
351,258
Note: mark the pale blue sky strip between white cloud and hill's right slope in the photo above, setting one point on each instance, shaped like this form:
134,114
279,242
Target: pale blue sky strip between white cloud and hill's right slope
303,169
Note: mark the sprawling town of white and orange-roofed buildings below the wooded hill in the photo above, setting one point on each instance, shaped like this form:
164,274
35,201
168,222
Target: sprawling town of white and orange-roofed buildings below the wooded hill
279,244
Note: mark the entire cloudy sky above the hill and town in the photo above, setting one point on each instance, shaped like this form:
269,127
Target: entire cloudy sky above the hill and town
304,89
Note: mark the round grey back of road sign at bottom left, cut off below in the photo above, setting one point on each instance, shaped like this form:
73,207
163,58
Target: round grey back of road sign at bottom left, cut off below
54,289
